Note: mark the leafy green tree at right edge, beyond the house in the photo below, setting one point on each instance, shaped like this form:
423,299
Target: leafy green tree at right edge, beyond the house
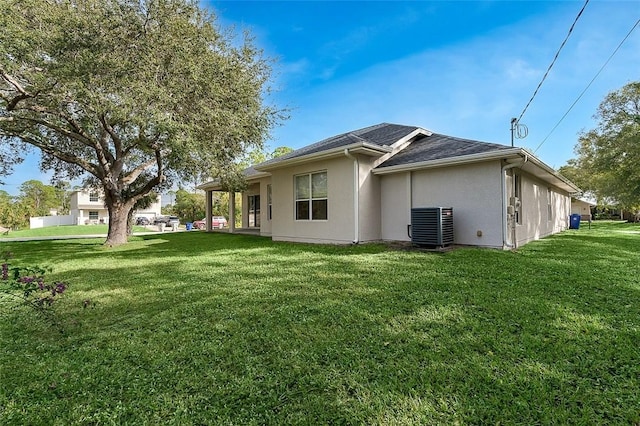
609,155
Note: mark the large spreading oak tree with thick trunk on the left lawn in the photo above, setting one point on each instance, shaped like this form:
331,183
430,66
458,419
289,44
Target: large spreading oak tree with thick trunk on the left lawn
133,94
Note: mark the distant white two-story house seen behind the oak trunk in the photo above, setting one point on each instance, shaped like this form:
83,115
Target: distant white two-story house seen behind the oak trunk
87,207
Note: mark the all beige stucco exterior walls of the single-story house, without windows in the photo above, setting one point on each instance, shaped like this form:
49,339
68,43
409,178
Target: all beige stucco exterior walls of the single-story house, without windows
385,201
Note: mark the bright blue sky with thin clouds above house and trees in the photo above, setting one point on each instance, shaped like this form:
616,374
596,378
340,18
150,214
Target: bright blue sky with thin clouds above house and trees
454,67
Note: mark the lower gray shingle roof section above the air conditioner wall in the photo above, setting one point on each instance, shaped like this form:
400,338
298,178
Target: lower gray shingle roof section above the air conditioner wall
437,147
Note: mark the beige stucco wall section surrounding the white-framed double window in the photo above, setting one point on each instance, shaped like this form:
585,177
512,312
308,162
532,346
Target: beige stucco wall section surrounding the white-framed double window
339,226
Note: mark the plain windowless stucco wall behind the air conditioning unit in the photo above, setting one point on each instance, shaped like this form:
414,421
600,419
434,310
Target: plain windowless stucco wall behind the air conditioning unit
474,191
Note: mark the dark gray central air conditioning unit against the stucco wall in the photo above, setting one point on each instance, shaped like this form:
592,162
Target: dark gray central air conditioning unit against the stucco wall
432,226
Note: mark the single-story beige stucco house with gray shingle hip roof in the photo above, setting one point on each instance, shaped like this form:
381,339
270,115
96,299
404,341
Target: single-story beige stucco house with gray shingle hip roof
362,185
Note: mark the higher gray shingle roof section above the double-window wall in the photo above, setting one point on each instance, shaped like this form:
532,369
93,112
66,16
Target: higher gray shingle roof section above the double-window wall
383,134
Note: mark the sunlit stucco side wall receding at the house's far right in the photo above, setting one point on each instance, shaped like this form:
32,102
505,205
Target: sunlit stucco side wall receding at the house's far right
536,223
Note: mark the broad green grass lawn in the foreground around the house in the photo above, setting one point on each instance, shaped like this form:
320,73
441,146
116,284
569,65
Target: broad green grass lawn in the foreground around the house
202,328
